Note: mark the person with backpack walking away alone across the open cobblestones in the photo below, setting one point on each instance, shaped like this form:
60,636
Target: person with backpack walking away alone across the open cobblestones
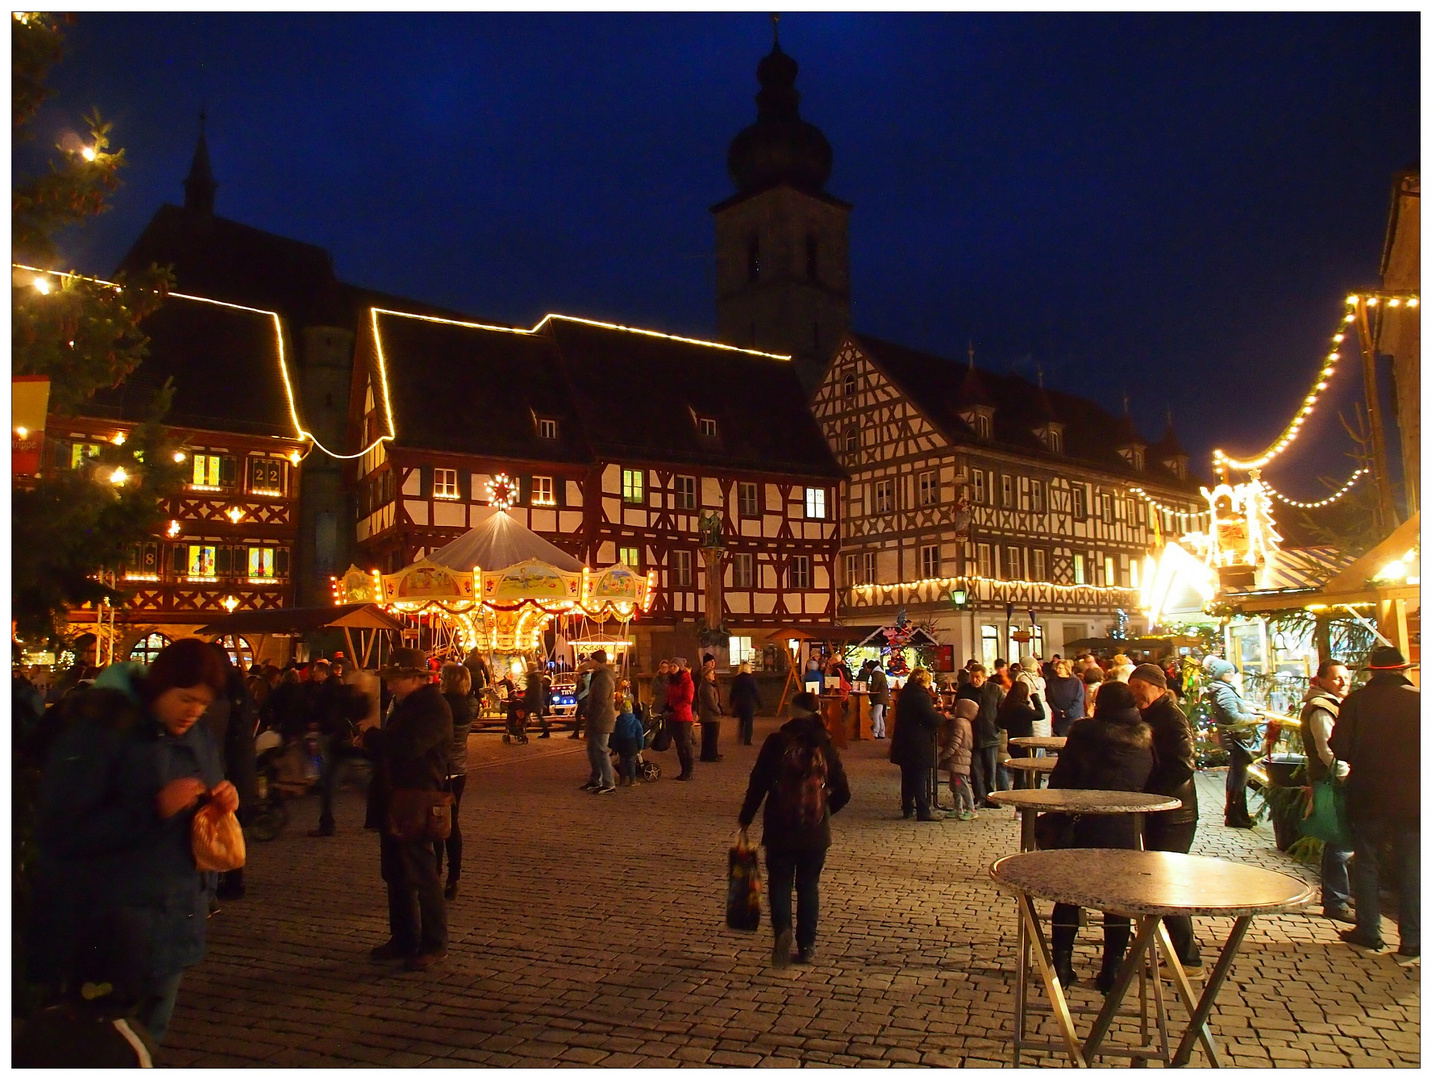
797,824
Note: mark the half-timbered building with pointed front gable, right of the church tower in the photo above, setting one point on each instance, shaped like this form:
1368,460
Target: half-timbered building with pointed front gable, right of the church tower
1036,506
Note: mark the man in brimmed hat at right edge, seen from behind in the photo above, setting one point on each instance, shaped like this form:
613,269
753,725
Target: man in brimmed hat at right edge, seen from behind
1378,736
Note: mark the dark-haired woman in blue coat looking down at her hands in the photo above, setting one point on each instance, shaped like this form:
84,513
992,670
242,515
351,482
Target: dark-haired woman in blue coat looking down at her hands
124,784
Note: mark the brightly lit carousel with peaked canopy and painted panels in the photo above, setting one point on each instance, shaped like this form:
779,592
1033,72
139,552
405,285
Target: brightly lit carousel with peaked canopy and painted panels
502,591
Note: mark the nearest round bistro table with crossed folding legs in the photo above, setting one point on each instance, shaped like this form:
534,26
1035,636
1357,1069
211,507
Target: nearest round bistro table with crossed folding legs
1146,887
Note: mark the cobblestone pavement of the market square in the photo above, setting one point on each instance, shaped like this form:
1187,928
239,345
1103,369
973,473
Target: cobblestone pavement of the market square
589,932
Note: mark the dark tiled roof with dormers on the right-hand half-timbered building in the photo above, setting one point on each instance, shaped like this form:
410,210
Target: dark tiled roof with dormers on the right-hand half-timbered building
1092,433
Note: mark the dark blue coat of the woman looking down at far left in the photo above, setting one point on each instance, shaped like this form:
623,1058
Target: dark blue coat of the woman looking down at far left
101,842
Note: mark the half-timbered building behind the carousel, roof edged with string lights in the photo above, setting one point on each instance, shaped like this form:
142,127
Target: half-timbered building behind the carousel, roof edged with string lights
618,443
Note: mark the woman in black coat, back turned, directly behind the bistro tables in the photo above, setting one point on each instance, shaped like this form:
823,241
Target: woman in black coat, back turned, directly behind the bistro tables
1111,751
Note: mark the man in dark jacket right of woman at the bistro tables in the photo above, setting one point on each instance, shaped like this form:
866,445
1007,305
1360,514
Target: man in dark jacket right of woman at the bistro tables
1174,777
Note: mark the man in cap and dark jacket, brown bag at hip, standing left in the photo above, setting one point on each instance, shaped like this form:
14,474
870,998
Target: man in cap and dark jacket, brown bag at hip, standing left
413,754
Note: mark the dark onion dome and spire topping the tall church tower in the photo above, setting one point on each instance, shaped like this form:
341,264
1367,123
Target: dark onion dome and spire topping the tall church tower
780,147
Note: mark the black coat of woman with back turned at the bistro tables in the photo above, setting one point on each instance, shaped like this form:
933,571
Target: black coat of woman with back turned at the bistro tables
1109,753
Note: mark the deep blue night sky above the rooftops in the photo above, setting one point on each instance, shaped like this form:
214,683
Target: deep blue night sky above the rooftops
1171,206
